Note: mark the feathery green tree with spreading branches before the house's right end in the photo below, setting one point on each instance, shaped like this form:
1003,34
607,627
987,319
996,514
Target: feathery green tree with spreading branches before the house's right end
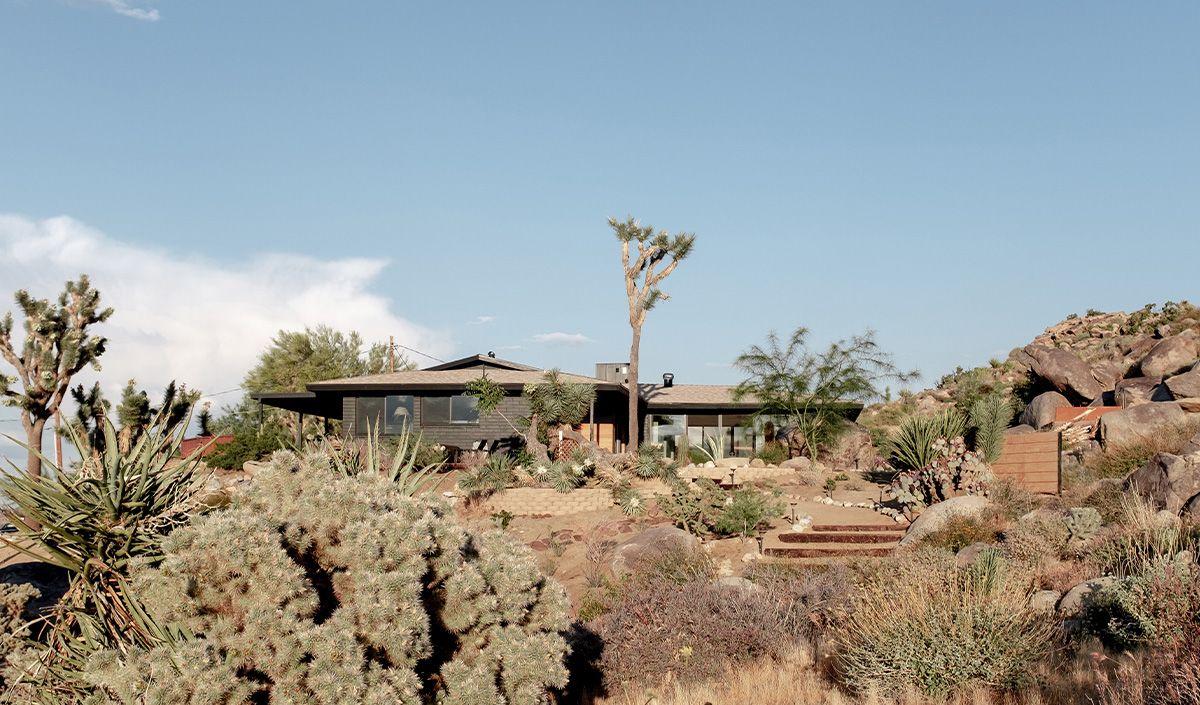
812,388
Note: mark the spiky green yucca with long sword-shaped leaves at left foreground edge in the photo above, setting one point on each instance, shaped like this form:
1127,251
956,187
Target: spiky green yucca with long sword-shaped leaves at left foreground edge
98,522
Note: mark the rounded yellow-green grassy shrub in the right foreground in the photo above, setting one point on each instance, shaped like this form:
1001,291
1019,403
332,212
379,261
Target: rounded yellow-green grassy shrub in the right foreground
943,635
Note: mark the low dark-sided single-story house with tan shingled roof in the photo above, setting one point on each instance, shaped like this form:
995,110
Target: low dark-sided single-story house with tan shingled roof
434,402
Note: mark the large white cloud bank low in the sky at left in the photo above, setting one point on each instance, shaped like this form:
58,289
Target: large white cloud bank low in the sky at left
193,320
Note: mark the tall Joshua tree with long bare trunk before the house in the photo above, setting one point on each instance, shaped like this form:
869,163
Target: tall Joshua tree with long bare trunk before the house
643,288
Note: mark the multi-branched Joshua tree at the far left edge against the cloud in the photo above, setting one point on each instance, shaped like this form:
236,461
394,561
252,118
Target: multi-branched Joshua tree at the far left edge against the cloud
57,346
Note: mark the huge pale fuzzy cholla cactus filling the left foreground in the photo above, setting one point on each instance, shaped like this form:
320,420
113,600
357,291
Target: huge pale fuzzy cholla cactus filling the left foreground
328,590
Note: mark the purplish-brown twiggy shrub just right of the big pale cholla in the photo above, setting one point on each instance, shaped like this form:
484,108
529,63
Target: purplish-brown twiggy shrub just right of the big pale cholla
676,625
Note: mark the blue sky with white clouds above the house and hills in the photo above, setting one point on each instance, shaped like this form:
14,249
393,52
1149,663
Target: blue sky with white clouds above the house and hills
956,177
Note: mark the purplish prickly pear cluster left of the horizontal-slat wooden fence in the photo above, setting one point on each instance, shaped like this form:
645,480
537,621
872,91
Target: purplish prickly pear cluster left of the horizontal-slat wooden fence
956,472
